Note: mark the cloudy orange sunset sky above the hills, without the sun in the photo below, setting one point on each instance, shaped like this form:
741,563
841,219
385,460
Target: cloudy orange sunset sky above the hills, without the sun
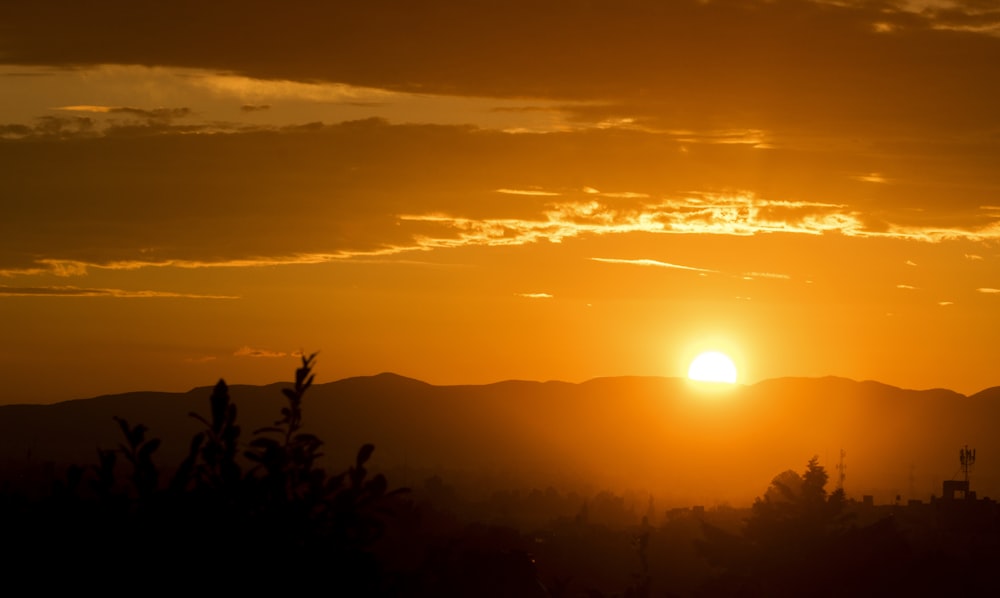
474,191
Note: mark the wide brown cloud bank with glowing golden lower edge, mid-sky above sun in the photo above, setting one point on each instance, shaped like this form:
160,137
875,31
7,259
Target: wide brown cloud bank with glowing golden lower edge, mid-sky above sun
369,189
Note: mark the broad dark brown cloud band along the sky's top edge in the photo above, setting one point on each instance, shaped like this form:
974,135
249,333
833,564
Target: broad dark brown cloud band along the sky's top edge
649,50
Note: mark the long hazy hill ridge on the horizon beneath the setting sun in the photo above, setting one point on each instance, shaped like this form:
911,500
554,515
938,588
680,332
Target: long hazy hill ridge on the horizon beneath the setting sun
671,437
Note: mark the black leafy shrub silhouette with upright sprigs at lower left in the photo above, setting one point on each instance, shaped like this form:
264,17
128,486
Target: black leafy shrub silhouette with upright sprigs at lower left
263,518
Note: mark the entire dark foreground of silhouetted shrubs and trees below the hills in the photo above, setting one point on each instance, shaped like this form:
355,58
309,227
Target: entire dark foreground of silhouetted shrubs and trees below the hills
256,512
